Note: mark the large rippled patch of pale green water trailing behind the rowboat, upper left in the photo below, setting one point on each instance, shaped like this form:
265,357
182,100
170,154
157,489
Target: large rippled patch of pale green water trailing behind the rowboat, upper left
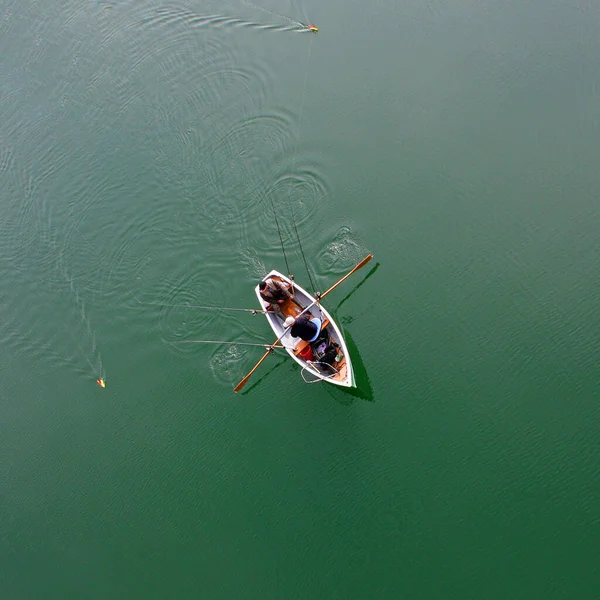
151,147
